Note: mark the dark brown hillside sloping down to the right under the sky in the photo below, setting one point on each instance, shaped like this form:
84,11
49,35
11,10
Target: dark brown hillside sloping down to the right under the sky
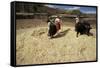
36,8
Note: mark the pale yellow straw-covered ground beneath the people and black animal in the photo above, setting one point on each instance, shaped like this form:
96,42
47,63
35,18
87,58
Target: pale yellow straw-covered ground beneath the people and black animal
33,46
